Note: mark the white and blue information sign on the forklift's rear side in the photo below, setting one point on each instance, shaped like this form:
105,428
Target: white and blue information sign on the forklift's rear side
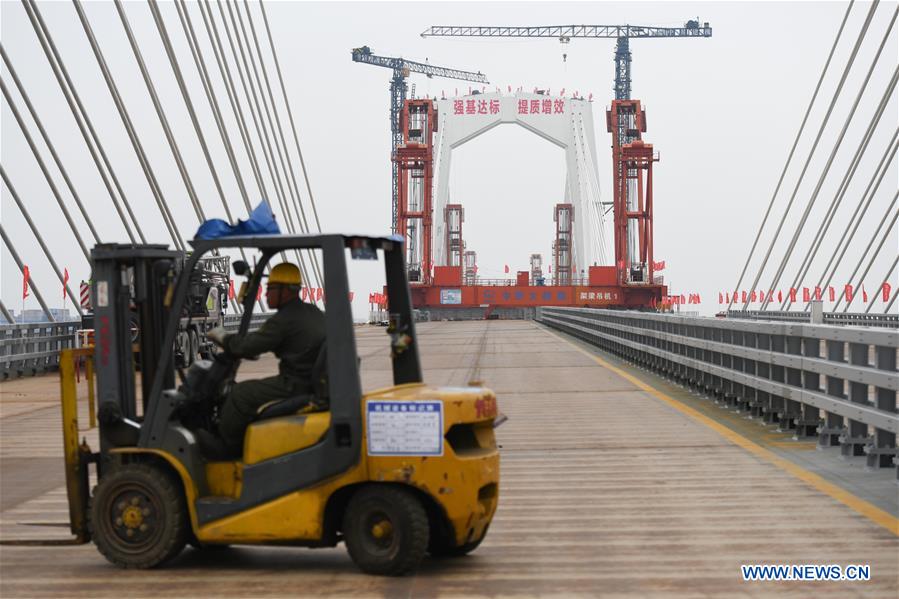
404,427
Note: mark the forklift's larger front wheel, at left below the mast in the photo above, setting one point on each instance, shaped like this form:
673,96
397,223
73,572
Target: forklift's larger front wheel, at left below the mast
138,518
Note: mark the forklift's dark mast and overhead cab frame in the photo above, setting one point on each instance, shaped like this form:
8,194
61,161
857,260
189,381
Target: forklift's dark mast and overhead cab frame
339,449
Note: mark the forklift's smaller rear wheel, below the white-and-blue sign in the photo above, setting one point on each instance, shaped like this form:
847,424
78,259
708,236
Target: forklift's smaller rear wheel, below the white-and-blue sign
386,530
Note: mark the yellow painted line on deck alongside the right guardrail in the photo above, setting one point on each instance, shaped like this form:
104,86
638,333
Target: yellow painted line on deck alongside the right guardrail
865,508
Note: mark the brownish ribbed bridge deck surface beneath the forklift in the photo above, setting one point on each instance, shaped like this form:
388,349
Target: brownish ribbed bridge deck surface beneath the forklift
606,488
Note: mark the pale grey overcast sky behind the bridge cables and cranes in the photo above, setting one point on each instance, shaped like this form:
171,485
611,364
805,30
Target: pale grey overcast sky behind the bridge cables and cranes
722,112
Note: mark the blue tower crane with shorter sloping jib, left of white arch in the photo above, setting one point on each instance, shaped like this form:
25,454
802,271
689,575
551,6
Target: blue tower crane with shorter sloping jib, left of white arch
402,68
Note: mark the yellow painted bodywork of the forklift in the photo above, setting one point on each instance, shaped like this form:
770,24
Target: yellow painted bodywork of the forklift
462,484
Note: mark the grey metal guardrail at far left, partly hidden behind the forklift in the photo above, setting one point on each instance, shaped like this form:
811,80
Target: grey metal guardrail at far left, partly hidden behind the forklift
31,349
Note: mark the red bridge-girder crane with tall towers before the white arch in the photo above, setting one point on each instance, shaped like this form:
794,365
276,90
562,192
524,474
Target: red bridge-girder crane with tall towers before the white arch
630,283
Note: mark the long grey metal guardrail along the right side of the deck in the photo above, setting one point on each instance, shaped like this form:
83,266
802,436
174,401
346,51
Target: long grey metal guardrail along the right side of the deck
784,373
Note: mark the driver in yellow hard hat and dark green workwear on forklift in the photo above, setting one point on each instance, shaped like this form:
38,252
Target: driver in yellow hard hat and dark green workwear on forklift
294,333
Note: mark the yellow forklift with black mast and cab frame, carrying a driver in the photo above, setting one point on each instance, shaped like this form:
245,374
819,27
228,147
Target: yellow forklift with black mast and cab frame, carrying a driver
395,473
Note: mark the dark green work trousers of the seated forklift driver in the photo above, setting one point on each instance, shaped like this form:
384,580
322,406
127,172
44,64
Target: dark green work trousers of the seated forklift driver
240,407
